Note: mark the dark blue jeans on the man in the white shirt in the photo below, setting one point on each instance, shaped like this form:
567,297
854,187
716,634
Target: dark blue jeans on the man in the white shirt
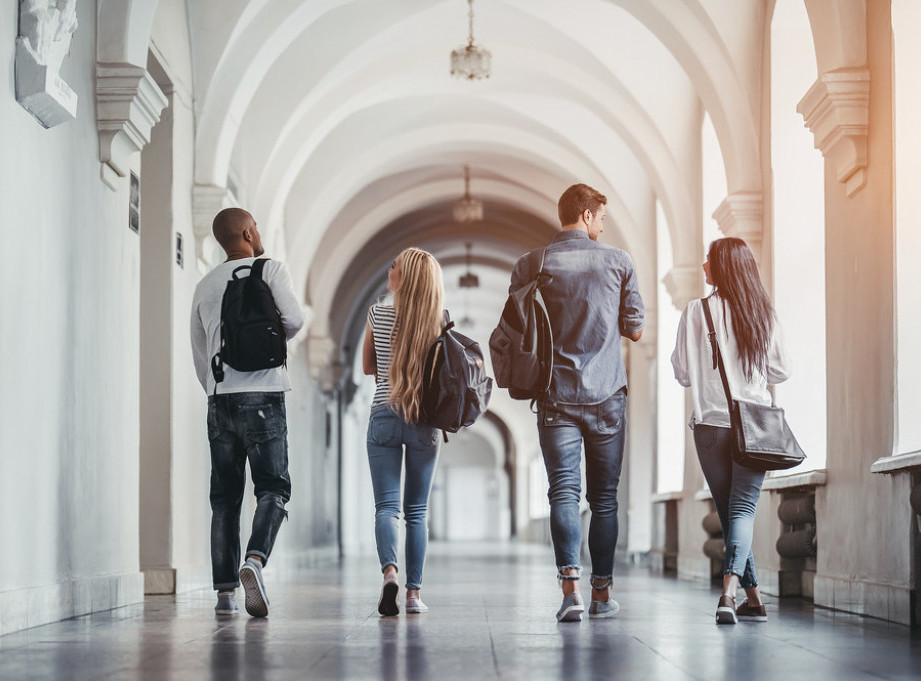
241,426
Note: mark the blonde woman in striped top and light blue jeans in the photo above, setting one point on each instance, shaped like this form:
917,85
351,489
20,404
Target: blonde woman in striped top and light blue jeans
397,339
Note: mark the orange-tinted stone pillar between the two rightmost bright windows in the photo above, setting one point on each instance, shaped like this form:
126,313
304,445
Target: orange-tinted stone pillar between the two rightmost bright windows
864,561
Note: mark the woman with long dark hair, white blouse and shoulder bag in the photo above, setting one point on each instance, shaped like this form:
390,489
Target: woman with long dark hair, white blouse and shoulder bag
749,339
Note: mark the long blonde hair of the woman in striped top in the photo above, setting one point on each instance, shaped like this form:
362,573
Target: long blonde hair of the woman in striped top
418,303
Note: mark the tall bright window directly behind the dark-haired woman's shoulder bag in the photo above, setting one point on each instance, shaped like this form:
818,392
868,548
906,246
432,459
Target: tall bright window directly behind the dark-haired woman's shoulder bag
799,231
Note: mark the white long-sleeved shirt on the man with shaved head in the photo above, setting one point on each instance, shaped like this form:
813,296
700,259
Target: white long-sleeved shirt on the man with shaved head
206,327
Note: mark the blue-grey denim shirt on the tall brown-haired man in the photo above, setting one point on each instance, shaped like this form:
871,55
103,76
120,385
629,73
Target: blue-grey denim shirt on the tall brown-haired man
592,300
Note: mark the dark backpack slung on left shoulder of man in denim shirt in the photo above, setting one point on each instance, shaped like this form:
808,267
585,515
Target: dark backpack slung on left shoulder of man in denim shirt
521,346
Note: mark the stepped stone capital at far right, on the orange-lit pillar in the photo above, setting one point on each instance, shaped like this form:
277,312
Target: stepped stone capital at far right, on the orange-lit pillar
836,109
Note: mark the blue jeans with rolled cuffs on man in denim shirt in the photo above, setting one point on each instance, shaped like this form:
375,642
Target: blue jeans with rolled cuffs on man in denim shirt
563,428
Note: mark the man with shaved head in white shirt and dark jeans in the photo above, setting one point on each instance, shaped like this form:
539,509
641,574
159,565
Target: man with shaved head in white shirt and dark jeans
246,419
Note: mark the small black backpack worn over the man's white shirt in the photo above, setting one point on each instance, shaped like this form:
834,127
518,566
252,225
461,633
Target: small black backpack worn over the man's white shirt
252,335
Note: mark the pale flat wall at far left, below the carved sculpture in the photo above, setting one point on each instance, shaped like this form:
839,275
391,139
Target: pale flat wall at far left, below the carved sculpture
69,427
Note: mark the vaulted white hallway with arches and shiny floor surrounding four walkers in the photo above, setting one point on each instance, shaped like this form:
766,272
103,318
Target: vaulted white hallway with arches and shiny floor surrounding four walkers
126,125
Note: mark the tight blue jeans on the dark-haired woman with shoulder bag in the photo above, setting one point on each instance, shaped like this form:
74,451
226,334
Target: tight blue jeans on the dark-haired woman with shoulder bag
735,491
